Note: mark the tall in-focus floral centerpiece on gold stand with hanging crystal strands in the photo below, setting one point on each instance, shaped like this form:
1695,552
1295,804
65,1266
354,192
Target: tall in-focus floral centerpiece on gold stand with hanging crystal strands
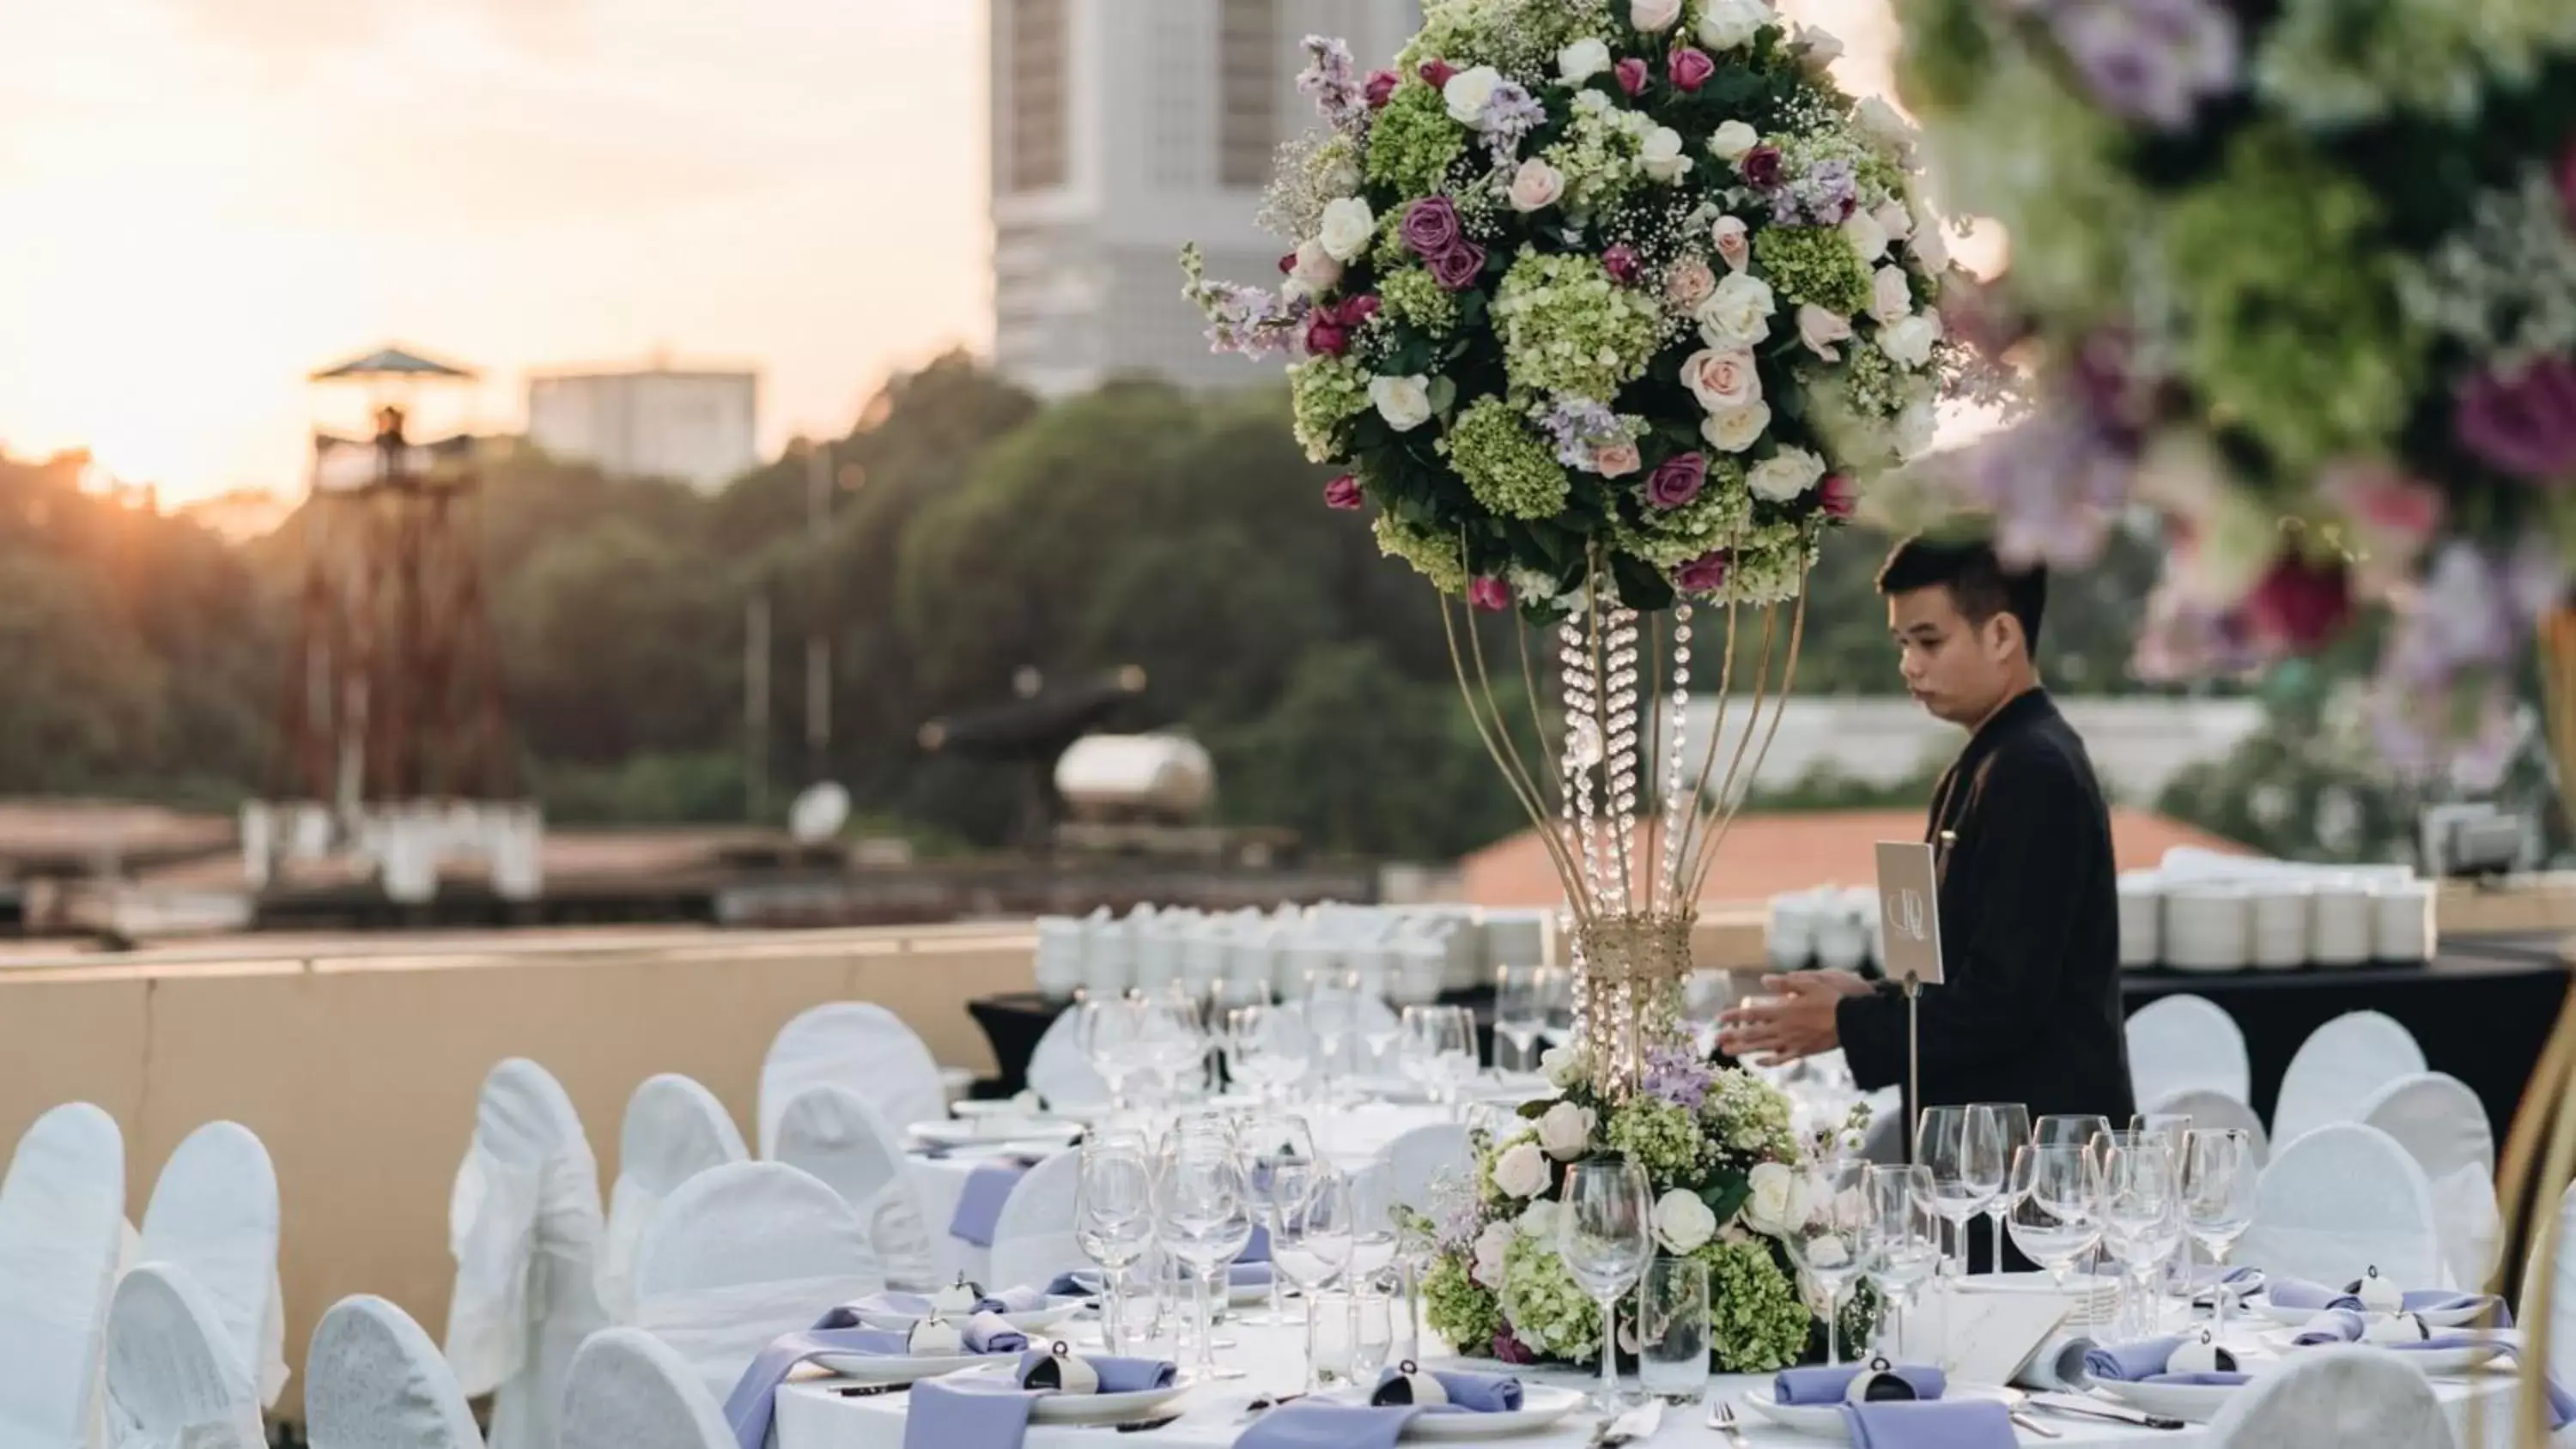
1609,310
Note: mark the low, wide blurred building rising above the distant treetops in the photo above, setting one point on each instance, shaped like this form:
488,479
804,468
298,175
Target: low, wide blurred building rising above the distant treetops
699,426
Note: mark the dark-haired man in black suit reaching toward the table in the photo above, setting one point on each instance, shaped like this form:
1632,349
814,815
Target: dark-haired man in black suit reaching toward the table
2029,902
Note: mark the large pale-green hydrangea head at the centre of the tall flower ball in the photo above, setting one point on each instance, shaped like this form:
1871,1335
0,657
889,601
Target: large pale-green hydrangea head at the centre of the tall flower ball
1573,331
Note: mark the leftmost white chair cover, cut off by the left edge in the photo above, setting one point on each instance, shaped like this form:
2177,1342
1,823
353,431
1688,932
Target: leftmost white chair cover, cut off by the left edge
63,1221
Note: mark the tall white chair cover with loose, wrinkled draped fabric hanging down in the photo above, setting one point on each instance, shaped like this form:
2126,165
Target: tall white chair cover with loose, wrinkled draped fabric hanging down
524,1226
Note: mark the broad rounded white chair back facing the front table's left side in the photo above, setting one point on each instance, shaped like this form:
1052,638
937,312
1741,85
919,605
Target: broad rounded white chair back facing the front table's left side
743,1255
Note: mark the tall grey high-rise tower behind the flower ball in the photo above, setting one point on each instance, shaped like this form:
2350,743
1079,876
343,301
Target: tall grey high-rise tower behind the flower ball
1124,130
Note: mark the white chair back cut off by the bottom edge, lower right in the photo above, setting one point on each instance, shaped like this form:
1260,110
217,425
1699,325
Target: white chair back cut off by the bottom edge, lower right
2363,1399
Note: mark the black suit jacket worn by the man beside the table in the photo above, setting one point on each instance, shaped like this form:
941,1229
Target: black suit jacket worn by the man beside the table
2029,930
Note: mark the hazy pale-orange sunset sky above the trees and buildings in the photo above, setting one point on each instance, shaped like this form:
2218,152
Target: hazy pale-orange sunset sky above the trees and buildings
207,199
